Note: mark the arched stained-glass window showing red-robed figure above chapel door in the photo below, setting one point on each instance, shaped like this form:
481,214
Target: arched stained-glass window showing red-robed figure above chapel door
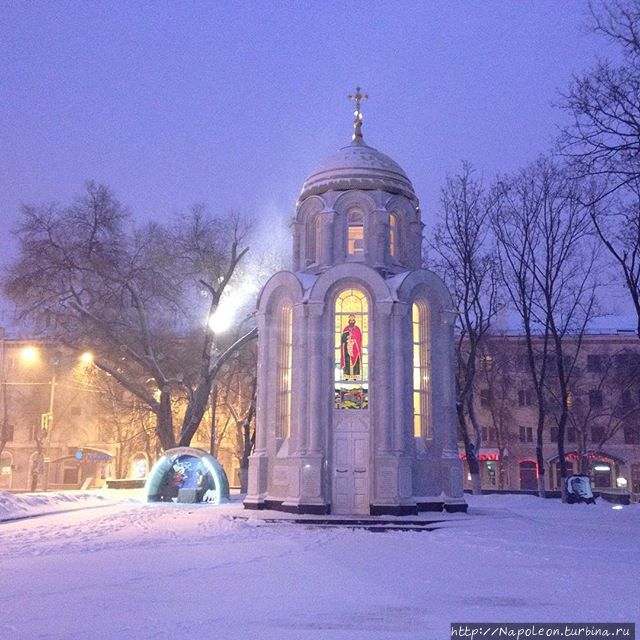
351,375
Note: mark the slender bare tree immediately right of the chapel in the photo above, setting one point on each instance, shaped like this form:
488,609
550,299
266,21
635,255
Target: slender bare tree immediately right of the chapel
464,246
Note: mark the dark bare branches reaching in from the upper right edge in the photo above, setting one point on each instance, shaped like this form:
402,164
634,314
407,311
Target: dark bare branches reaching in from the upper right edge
602,139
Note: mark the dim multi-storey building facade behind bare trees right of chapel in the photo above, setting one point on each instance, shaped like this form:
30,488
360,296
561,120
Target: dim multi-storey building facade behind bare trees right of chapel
602,435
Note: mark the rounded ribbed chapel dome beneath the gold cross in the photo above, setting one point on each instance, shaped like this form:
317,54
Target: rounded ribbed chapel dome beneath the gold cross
358,166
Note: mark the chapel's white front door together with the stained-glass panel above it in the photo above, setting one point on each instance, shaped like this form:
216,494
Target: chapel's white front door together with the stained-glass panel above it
350,424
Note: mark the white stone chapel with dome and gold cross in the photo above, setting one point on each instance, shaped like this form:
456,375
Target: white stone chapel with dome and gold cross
356,390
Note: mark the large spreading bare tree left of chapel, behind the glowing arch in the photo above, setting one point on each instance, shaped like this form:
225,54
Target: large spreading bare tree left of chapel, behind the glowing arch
90,278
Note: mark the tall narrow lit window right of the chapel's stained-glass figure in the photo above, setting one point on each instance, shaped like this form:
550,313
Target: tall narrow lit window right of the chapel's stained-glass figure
421,412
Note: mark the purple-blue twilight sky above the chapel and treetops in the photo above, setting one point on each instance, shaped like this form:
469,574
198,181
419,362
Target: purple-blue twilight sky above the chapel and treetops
234,103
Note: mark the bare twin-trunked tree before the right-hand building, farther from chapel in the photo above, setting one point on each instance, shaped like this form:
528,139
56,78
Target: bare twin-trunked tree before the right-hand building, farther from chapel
548,263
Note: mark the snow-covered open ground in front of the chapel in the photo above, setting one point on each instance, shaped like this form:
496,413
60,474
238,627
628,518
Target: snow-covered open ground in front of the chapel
130,570
